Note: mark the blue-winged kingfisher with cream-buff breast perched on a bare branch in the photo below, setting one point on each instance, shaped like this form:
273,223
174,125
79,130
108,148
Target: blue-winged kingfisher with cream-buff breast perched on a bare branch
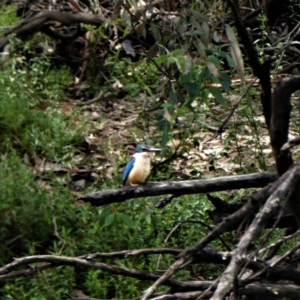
138,168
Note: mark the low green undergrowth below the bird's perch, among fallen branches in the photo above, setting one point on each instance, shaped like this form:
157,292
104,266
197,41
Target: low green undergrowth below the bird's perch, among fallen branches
33,212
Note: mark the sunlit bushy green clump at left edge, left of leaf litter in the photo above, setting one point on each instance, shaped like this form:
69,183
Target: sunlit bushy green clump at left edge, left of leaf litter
25,89
